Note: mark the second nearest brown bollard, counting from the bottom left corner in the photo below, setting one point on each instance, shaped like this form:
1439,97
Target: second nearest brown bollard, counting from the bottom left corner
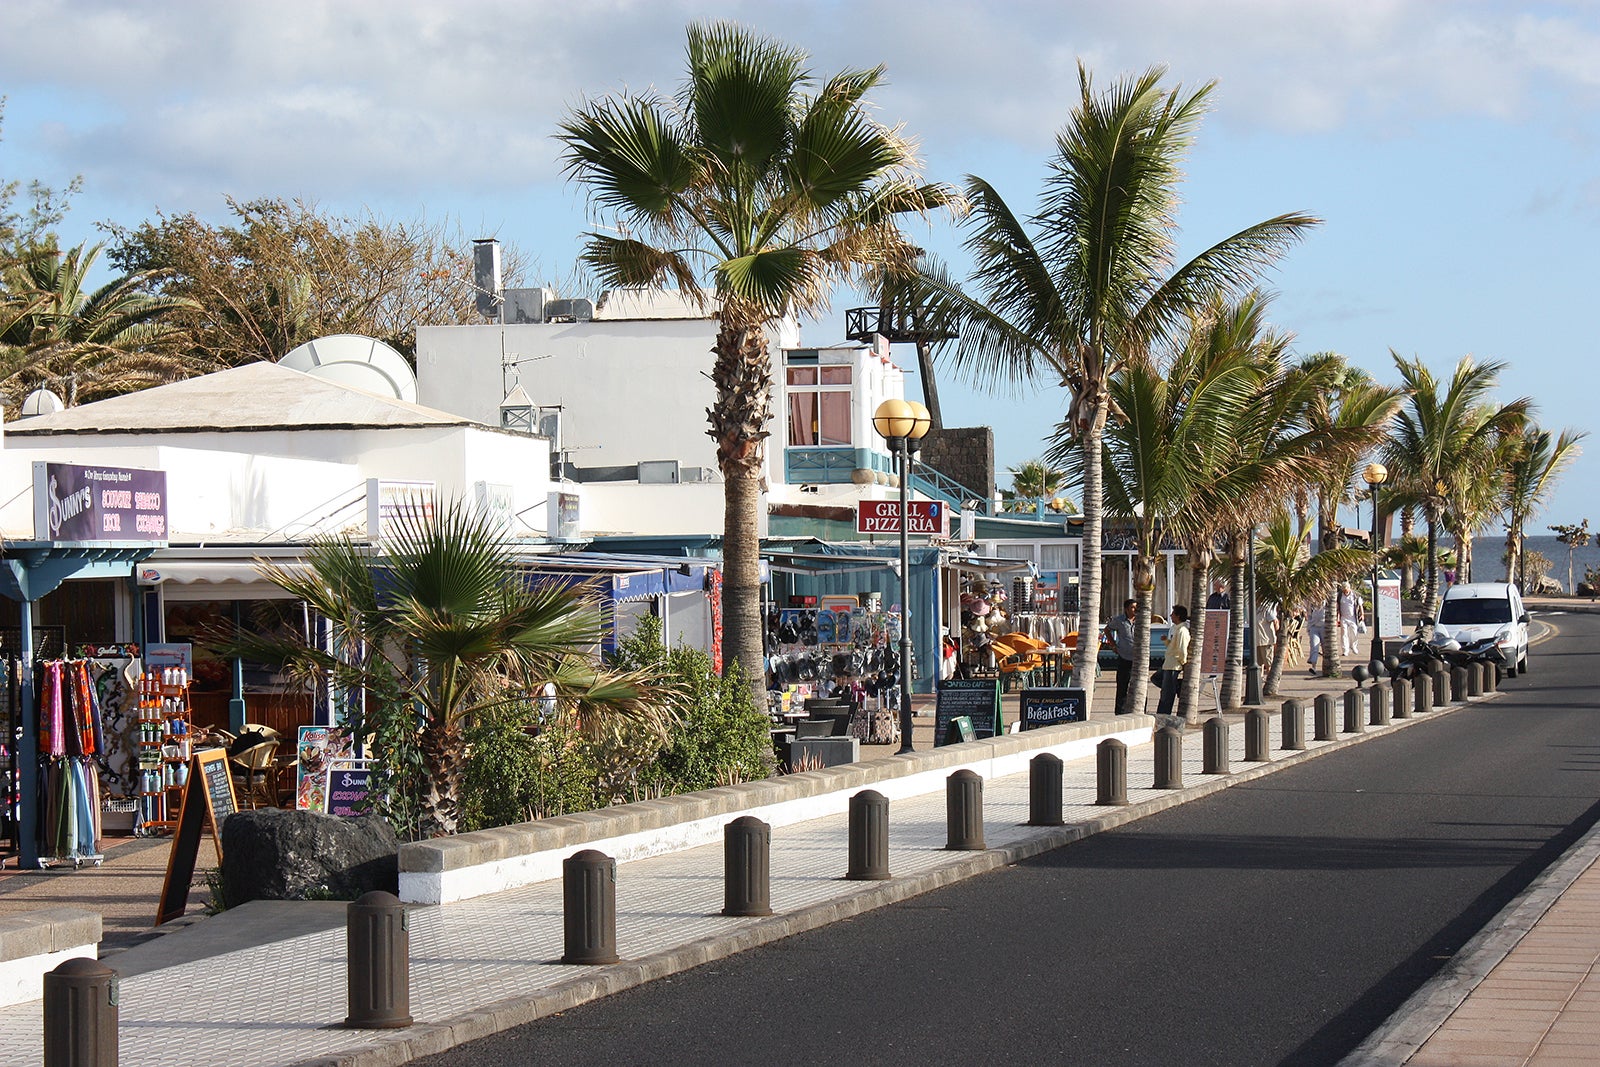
377,964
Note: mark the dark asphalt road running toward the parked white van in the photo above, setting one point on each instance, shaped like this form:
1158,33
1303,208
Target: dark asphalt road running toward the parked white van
1279,922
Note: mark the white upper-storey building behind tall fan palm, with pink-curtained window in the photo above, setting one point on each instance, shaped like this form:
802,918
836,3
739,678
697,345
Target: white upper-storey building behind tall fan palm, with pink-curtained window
623,393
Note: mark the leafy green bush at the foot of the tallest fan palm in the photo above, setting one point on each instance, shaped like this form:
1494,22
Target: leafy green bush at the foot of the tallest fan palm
722,738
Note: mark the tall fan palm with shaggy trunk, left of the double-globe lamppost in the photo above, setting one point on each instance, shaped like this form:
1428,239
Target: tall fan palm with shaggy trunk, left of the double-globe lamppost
754,194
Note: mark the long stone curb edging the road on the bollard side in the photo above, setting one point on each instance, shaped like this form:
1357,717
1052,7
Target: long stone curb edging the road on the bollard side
438,1037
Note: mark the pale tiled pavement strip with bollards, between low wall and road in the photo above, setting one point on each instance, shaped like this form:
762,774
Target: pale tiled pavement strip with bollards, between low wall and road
484,965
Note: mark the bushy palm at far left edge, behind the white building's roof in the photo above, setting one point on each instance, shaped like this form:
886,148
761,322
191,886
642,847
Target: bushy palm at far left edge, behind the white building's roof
89,345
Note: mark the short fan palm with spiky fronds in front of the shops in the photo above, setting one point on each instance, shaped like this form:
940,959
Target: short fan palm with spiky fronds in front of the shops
439,626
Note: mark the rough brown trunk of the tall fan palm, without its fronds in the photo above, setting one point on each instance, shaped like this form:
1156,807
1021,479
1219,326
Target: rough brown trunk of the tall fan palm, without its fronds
738,423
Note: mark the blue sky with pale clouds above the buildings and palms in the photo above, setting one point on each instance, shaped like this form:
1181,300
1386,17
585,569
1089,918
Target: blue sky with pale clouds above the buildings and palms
1450,148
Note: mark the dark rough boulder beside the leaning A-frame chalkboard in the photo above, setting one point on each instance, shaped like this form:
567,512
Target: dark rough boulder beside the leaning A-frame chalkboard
274,855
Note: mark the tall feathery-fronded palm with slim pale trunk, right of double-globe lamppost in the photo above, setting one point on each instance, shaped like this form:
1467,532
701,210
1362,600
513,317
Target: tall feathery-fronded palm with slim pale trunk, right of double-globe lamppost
1071,294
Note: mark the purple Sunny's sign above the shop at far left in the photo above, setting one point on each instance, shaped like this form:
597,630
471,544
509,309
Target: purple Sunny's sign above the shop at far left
74,503
